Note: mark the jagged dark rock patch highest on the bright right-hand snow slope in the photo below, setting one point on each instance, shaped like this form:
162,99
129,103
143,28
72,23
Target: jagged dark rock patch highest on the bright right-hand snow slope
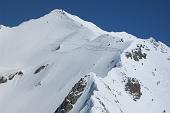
136,53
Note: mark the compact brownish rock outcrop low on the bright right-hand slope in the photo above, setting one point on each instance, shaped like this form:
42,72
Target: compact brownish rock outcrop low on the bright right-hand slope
133,87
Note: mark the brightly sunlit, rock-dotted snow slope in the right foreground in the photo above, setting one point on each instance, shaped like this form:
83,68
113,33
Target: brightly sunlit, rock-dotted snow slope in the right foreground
138,85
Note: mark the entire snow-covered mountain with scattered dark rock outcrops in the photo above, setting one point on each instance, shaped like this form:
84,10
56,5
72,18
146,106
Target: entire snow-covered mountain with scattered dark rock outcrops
60,63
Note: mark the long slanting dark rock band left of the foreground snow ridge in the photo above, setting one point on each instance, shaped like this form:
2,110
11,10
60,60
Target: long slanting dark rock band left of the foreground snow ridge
72,97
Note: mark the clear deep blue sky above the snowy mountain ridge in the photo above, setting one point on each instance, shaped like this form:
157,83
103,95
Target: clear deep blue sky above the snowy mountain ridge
143,18
